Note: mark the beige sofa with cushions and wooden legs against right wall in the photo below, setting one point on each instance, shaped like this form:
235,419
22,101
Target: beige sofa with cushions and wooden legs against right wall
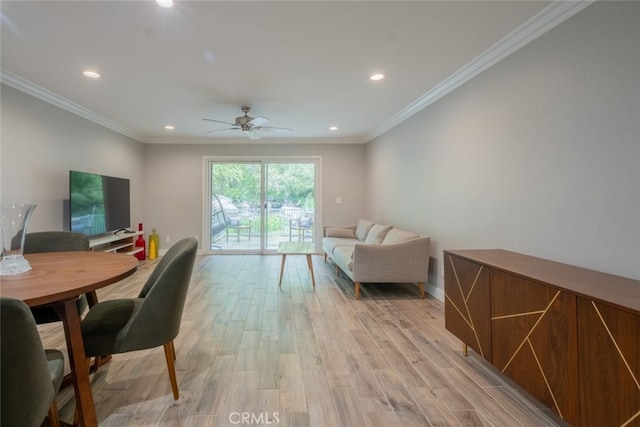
375,253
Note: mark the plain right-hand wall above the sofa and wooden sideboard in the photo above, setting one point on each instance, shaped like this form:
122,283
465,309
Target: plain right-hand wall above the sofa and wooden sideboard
539,154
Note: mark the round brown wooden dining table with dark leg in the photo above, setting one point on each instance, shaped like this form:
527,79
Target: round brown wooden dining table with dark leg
57,279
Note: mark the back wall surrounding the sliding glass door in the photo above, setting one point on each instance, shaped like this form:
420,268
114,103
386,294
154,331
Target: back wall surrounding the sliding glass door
174,172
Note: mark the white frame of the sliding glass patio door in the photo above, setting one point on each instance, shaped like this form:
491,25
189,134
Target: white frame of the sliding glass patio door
206,202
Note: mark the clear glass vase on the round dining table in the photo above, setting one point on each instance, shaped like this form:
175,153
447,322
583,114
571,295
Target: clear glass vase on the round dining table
14,219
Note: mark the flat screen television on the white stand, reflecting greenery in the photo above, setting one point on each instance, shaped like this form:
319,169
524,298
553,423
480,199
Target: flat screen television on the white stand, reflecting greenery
98,204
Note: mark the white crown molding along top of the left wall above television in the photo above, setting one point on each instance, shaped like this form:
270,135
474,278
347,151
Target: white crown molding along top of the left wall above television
30,88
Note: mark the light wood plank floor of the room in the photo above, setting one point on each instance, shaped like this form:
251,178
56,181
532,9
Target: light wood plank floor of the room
298,357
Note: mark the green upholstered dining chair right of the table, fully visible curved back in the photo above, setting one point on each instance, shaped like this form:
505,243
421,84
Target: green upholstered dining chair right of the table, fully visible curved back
150,320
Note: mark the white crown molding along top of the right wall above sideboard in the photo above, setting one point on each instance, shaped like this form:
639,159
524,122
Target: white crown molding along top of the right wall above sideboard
540,23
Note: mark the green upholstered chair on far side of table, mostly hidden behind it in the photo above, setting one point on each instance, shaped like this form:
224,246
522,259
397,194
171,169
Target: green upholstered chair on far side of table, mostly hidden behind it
55,241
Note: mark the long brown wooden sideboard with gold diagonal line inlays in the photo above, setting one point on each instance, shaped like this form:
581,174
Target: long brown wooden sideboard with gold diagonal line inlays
568,335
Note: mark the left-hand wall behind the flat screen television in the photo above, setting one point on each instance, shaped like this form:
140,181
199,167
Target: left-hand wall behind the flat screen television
40,143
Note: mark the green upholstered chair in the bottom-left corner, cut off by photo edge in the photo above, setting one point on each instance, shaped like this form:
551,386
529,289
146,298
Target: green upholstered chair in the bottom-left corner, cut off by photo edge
30,376
